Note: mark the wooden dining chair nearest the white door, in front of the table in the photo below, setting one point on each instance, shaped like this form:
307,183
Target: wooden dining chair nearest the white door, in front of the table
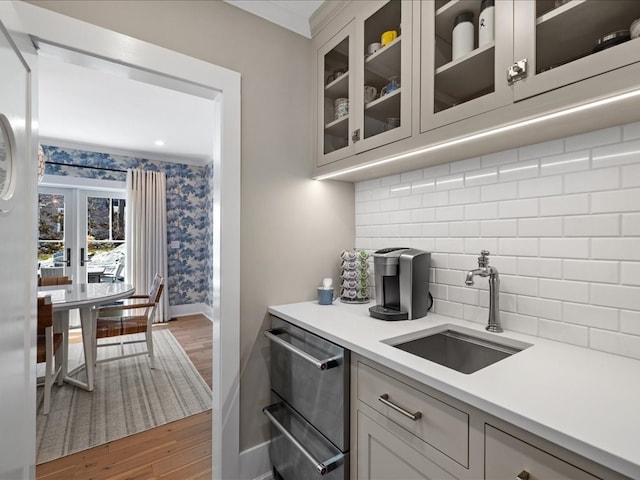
48,348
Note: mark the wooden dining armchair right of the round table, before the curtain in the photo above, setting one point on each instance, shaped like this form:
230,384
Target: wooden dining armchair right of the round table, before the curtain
131,315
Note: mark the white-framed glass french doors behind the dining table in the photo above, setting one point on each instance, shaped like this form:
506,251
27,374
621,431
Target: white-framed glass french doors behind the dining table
81,234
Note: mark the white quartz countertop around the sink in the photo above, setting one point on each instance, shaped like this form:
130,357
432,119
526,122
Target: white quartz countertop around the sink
584,400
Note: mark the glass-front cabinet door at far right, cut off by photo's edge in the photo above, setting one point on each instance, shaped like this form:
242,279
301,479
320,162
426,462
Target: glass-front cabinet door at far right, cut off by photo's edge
565,41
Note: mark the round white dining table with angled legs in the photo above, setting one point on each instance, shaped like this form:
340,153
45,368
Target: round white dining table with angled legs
85,297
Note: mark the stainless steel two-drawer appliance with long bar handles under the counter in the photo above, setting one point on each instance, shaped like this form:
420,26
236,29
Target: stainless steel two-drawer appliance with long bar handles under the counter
310,409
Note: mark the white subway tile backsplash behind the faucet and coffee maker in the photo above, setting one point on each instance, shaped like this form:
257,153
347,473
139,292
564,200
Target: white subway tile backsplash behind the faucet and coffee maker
561,220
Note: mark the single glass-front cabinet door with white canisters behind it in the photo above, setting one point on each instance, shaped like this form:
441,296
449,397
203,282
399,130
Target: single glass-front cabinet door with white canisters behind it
466,48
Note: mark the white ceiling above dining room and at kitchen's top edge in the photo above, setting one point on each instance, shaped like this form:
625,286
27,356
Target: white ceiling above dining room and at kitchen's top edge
115,111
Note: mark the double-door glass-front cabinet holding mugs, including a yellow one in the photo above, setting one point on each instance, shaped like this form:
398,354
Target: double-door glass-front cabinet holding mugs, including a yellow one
366,63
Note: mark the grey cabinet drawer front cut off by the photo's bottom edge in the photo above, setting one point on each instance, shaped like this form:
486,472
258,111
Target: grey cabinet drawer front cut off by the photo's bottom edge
506,457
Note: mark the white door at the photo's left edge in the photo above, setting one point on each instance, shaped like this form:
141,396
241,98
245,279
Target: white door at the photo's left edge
17,265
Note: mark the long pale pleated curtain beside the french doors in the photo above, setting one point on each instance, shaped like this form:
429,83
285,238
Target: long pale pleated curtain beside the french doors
146,233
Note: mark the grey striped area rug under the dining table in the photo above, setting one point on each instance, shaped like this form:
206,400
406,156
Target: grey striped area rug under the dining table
128,398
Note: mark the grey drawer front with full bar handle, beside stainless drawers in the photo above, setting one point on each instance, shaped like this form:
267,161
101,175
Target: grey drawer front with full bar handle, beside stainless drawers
442,426
